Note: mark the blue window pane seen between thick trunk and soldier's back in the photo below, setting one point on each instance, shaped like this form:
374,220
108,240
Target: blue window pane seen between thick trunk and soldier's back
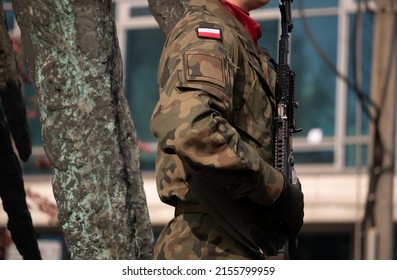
143,54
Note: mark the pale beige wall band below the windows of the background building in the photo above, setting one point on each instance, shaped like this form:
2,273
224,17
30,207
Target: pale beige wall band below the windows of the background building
330,198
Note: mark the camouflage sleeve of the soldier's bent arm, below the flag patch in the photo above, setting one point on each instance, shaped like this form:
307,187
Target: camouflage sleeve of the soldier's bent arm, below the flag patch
192,119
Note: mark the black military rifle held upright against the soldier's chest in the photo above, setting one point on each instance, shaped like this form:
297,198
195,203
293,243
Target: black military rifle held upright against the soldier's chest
285,102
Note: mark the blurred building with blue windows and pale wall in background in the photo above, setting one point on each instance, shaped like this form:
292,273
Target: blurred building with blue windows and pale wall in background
332,54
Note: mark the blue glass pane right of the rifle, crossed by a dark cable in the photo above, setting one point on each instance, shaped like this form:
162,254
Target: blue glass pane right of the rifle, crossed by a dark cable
315,82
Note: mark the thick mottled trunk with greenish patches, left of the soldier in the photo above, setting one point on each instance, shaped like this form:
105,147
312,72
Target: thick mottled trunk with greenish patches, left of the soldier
87,130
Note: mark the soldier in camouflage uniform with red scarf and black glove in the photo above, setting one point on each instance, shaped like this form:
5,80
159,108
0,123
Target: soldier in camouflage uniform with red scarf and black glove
215,131
